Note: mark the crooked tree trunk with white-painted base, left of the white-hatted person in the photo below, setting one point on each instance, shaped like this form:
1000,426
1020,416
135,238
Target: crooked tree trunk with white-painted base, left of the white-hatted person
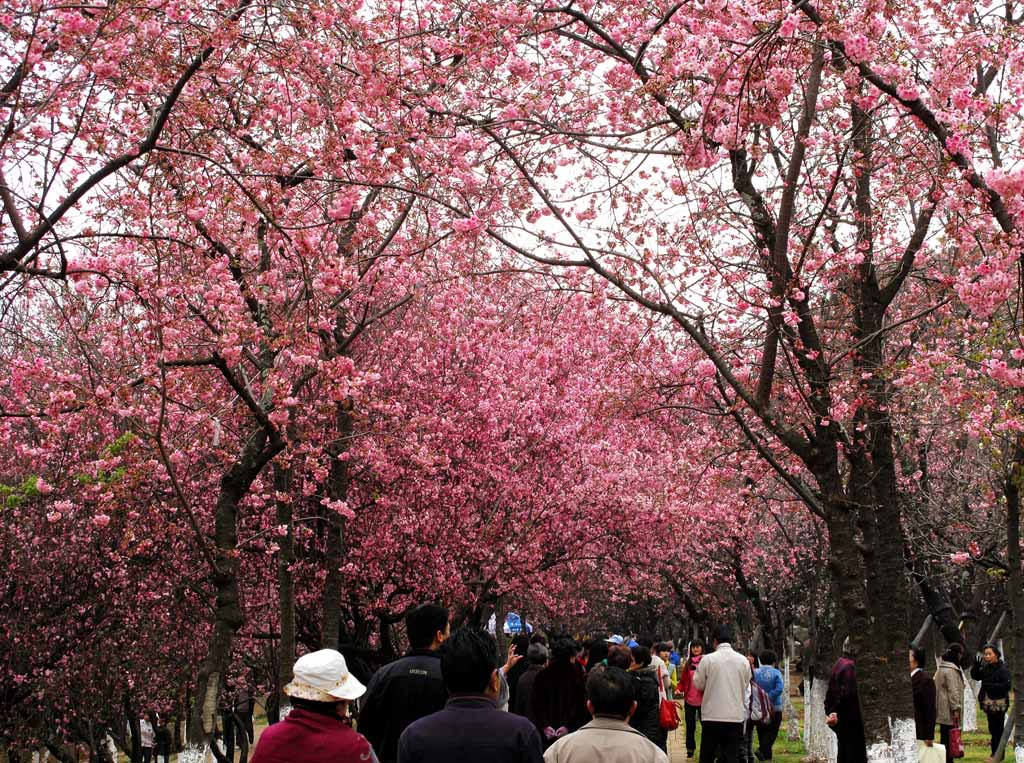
229,618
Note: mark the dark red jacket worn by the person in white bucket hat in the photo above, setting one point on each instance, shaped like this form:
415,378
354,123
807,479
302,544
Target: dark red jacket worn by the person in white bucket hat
312,738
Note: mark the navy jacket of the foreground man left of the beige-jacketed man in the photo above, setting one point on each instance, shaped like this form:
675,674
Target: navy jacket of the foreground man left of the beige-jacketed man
472,730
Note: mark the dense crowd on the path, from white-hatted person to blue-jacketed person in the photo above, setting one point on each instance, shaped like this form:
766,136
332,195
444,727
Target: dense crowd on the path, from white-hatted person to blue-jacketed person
553,700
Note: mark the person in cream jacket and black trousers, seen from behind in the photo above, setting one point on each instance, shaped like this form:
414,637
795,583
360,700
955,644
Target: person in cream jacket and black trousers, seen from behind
724,677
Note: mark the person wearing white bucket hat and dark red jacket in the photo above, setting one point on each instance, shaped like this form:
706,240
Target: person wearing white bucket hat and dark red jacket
317,731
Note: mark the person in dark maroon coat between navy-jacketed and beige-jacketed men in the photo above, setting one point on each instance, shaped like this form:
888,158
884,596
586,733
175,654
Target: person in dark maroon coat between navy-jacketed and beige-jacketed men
559,704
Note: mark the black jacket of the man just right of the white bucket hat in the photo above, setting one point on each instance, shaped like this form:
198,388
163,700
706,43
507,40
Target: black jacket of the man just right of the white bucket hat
398,695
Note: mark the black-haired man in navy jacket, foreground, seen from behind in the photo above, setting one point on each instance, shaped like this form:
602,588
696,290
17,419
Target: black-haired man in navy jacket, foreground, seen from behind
472,728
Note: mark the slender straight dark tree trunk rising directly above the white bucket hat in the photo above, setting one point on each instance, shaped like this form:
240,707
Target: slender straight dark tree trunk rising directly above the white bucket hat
337,491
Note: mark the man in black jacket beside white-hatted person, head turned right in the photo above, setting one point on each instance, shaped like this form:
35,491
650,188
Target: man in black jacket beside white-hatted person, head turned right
409,689
